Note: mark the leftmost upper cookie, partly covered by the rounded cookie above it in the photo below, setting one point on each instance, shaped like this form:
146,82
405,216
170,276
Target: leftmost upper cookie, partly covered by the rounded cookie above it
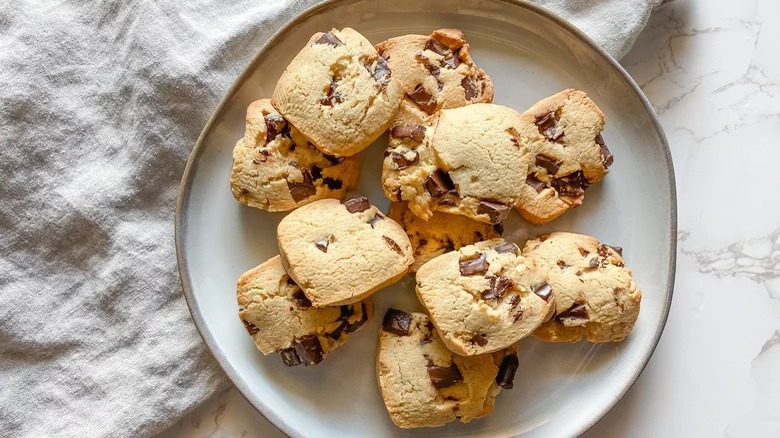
276,169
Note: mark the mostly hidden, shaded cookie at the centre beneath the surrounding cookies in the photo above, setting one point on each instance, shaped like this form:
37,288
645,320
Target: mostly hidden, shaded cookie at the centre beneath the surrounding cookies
441,233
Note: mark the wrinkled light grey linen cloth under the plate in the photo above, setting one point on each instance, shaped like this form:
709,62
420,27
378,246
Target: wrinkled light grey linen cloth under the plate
100,105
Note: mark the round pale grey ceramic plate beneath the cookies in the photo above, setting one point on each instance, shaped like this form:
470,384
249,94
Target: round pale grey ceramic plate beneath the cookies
560,389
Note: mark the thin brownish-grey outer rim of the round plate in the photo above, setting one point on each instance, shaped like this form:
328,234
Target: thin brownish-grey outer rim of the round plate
186,186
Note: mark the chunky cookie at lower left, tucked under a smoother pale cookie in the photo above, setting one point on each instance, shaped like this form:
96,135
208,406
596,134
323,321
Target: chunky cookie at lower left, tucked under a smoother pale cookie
280,318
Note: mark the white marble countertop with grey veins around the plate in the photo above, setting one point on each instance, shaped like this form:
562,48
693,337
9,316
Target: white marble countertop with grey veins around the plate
712,71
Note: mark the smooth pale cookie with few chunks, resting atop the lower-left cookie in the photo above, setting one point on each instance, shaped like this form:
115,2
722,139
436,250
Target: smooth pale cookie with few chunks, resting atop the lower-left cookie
341,252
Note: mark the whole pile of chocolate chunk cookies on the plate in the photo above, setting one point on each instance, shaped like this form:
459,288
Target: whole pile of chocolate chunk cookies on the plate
455,166
